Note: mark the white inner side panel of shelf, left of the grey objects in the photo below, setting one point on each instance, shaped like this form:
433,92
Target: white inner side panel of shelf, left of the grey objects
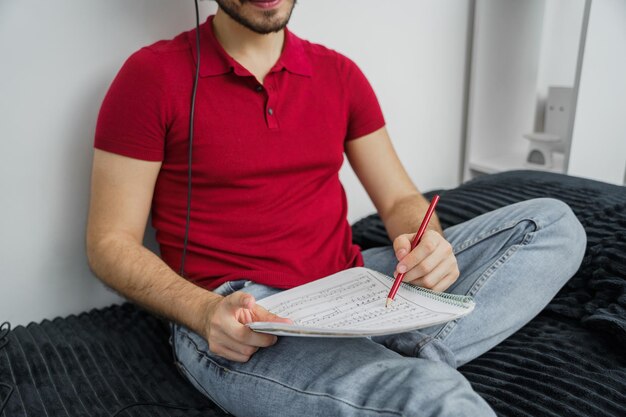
505,61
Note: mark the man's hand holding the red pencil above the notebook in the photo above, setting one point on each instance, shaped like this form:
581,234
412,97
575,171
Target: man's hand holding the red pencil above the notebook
431,264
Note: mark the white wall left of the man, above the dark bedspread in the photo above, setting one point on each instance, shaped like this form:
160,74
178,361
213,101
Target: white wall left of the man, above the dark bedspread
58,59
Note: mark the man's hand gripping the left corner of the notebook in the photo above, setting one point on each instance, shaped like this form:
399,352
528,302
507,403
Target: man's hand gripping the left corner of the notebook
225,328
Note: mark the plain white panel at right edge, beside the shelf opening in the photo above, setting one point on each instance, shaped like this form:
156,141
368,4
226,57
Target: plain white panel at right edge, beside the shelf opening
599,139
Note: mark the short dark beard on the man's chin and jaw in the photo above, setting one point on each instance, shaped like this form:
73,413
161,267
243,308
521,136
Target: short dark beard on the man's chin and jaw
268,22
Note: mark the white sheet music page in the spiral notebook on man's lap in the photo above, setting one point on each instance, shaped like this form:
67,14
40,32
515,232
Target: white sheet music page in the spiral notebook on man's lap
353,301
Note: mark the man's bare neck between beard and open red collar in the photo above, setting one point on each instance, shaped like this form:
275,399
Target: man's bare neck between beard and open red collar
257,53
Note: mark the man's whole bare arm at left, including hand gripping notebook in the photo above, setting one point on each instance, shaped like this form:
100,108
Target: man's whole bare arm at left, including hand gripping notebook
121,196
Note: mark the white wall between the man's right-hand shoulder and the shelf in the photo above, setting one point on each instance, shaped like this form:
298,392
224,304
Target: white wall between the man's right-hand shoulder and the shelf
413,53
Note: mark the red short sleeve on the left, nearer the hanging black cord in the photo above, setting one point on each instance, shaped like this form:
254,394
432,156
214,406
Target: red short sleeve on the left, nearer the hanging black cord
133,117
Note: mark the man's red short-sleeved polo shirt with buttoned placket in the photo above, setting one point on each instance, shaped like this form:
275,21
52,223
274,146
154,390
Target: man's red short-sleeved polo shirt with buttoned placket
267,204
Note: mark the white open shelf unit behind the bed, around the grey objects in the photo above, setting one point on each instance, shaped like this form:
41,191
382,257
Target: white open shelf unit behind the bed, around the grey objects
521,50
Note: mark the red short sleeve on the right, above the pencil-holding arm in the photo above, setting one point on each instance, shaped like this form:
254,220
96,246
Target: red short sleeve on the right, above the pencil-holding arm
364,113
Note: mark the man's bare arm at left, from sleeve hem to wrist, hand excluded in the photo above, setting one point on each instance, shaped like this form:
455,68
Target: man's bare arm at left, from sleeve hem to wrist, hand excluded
121,195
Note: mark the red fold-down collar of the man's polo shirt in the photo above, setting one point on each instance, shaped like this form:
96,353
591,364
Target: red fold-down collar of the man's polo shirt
215,61
